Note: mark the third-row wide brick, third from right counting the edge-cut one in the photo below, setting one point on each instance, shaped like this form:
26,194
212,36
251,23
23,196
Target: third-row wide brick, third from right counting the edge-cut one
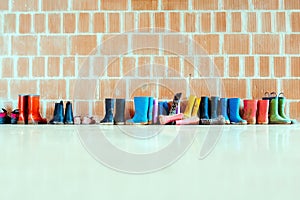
236,44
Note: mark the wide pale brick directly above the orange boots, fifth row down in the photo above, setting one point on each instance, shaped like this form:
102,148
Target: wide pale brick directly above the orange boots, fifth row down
22,87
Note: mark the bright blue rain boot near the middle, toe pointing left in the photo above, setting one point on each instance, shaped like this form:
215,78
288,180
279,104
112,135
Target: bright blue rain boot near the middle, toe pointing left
141,105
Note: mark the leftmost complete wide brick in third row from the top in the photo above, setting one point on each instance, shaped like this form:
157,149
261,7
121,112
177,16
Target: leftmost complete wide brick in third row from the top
24,45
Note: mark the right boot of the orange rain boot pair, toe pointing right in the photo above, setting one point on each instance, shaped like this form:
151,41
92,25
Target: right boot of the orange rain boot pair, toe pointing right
34,116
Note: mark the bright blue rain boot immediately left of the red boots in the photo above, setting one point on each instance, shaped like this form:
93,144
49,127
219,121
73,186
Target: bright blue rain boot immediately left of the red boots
234,111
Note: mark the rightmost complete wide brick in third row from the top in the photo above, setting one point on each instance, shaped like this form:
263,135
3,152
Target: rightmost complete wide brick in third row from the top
265,44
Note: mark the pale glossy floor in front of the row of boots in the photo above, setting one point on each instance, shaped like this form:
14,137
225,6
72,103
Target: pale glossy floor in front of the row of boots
149,162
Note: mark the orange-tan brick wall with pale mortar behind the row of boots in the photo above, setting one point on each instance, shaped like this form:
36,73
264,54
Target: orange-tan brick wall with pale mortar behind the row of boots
47,46
